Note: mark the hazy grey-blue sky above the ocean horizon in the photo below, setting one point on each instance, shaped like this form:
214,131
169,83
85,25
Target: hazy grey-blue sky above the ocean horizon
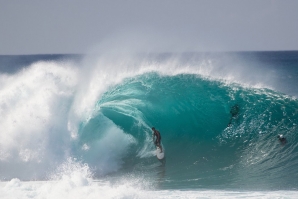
65,26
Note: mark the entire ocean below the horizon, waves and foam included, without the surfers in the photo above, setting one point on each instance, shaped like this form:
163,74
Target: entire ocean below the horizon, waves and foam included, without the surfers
79,126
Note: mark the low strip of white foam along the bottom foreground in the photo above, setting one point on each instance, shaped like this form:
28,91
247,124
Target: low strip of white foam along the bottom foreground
67,188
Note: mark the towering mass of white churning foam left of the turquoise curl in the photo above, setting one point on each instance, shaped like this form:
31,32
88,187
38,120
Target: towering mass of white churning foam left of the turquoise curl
34,104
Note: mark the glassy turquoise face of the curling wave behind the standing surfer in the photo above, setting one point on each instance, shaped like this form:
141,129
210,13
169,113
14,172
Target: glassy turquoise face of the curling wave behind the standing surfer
214,134
